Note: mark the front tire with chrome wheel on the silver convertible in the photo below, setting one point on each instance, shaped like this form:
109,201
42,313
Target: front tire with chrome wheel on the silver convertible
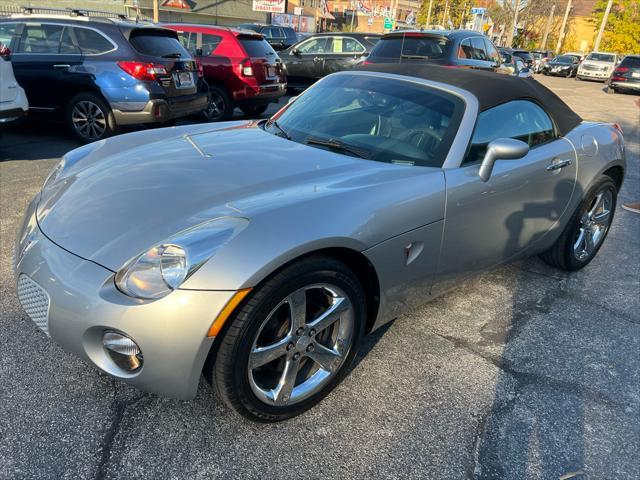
292,341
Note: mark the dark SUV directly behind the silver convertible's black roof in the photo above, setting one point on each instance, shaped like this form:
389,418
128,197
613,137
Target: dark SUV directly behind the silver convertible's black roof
453,48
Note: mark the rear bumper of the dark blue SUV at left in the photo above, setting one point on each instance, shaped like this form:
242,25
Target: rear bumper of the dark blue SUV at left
161,110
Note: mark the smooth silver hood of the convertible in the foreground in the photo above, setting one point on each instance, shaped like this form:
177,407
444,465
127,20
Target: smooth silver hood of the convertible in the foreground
134,191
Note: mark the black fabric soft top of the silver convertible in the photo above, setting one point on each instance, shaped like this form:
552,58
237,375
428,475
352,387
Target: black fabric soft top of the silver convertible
489,88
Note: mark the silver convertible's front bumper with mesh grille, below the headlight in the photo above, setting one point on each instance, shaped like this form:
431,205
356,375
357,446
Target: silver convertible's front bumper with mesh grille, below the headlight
83,302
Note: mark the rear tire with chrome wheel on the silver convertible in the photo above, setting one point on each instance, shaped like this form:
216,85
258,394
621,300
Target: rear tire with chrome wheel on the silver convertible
586,230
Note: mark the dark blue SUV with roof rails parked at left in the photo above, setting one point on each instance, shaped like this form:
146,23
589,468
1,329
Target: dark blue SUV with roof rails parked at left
98,73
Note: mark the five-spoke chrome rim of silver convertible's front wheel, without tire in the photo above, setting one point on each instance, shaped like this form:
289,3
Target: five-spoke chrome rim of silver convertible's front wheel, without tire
301,345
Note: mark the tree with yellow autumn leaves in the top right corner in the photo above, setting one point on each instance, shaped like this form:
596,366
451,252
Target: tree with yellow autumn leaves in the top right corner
622,33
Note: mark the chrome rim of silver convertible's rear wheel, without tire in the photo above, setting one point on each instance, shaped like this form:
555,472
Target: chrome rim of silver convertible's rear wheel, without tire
594,223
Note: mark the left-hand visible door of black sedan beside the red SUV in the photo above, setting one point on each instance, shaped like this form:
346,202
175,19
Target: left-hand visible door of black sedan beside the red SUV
305,61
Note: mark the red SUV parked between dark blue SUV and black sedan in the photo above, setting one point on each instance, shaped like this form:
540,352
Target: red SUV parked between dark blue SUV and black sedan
242,69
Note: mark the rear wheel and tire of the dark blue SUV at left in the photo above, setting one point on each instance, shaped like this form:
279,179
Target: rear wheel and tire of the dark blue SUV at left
89,118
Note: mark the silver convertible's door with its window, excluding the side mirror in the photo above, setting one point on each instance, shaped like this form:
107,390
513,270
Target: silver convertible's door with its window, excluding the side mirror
488,223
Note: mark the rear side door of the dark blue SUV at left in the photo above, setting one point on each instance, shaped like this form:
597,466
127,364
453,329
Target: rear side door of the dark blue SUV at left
44,55
